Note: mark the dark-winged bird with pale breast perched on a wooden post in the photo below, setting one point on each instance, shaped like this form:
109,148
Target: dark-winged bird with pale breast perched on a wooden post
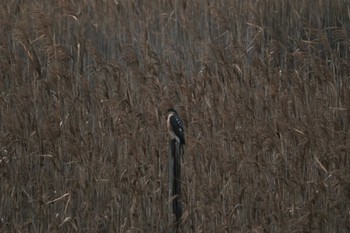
175,126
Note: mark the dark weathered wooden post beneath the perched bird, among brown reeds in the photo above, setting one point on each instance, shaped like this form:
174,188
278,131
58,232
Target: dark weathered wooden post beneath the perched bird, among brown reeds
175,207
